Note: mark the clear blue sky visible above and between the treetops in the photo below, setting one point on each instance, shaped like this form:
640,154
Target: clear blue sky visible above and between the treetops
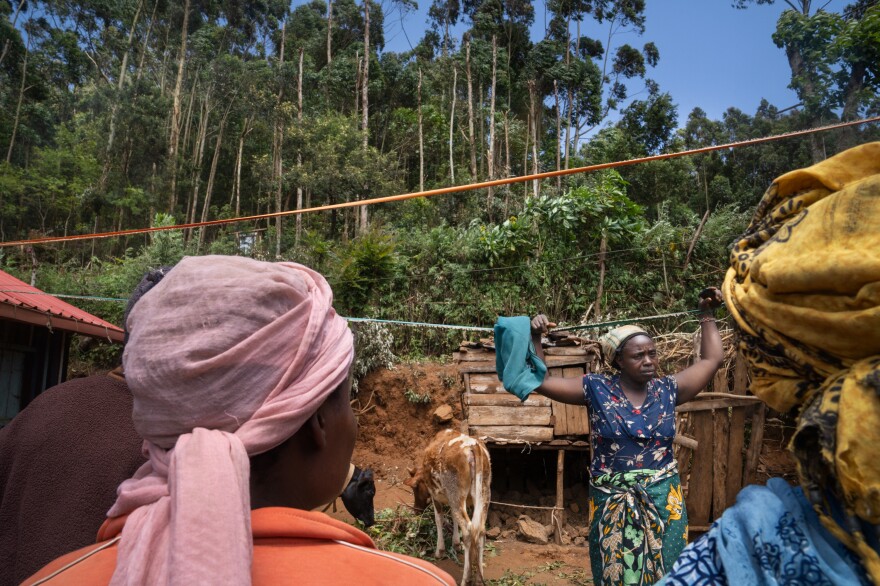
712,55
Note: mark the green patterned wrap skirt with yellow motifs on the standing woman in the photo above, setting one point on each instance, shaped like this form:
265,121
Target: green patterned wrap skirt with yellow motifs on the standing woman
638,525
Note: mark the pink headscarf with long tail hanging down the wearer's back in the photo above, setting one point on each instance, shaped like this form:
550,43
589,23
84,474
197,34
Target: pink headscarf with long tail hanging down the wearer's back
227,358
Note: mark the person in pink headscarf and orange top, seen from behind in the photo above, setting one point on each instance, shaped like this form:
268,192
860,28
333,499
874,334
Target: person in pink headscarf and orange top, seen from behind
240,375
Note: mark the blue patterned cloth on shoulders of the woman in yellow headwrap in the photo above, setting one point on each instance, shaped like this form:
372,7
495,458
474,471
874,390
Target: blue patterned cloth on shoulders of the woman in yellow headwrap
770,536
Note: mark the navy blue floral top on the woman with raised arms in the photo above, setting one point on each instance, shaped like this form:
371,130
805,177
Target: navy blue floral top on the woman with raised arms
624,437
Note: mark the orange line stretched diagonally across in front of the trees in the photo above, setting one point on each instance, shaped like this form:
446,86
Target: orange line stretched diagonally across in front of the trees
442,190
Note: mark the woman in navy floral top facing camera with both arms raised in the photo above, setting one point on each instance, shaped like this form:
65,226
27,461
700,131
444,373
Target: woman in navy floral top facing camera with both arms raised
638,523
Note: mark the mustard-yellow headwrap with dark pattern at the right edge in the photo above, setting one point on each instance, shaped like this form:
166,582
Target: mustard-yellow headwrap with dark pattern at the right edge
804,290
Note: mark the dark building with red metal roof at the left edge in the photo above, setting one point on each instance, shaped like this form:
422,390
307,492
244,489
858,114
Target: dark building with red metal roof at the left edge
35,334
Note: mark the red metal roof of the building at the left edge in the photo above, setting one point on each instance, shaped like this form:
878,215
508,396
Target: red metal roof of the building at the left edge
19,301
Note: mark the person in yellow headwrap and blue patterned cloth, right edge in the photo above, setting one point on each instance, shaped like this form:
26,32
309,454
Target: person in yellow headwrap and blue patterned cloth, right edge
804,291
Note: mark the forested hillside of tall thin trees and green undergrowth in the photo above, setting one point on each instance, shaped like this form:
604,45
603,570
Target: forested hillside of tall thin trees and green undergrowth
125,114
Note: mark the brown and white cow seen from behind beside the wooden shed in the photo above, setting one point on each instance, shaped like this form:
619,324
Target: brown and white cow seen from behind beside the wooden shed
455,471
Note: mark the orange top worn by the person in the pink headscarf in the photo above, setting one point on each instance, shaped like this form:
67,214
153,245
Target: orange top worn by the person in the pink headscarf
290,546
